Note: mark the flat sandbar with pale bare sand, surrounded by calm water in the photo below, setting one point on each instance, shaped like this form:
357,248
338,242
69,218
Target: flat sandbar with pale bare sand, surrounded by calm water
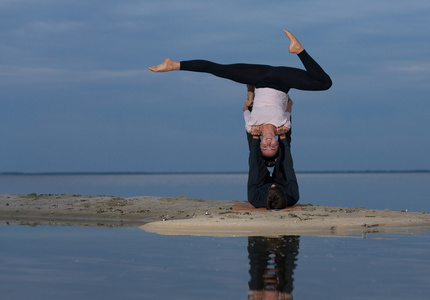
187,216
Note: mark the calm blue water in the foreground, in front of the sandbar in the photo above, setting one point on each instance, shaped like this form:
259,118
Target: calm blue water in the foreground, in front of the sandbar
127,263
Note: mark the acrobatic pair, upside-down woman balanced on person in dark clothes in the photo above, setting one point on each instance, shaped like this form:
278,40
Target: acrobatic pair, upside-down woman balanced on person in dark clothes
269,117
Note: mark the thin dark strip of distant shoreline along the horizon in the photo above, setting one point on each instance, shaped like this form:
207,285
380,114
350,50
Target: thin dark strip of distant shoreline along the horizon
209,173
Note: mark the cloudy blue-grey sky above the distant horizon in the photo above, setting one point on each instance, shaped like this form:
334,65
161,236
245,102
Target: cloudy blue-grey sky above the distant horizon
76,94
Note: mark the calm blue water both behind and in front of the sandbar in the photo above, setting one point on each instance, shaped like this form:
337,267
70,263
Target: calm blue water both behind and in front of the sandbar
58,262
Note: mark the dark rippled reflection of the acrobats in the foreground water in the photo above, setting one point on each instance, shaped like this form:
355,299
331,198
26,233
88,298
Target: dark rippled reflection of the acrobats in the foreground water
272,263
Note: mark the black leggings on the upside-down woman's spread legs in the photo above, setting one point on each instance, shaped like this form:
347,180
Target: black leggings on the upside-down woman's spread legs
279,78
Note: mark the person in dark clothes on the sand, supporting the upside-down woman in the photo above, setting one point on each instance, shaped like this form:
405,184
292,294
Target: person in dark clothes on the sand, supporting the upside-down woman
281,189
